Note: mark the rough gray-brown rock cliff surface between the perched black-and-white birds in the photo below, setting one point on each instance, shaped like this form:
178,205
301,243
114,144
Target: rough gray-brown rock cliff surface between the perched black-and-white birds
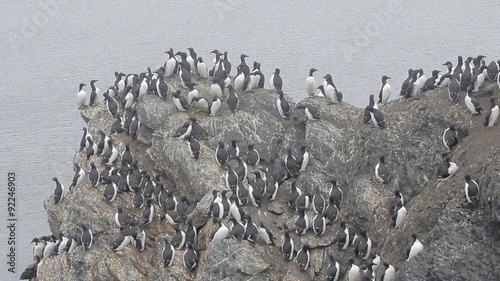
459,244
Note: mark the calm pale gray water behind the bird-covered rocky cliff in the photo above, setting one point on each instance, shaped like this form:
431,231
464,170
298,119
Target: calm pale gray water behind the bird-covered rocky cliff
50,46
